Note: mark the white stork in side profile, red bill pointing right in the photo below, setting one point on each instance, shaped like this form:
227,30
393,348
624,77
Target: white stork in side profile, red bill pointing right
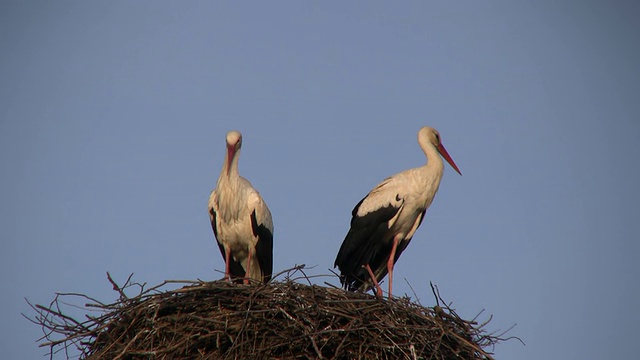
384,222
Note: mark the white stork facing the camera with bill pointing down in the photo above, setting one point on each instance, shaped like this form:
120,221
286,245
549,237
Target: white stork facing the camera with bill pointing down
241,221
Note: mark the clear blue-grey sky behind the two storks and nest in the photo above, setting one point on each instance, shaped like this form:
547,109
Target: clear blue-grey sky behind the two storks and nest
113,116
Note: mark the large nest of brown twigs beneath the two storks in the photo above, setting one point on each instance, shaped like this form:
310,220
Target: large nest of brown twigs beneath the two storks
279,320
